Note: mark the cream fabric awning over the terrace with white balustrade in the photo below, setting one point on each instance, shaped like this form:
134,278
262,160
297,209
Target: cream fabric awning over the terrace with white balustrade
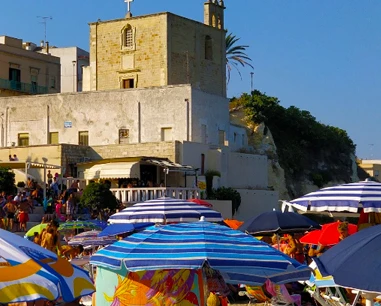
113,171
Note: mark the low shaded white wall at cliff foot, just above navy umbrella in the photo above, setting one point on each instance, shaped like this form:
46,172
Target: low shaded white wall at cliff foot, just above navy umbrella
254,202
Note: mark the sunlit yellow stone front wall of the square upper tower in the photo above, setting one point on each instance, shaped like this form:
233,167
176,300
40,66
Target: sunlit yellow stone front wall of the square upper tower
145,62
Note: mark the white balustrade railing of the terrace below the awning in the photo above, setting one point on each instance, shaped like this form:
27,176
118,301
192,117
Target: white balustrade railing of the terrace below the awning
134,195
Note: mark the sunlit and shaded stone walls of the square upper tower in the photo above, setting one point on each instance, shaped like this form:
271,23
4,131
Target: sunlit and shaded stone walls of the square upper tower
167,50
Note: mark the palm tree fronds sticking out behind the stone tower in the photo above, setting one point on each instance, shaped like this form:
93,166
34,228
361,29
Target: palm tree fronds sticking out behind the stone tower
235,55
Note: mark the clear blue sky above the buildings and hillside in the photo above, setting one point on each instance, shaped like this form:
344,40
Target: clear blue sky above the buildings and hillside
322,56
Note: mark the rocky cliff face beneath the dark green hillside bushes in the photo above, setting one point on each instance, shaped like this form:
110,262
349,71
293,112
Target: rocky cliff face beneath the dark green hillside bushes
290,186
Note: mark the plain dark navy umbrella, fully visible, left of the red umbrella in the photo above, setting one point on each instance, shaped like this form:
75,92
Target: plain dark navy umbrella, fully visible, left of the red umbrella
276,222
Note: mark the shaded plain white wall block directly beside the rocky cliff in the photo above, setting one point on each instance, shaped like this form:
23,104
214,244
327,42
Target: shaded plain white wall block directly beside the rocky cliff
247,171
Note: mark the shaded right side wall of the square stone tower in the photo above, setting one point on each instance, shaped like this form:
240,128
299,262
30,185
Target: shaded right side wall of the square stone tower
187,62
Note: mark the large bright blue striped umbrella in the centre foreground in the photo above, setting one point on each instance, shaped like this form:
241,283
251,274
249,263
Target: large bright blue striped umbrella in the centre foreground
239,257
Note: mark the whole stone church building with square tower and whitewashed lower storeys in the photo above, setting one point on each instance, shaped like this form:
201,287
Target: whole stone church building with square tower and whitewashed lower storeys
154,97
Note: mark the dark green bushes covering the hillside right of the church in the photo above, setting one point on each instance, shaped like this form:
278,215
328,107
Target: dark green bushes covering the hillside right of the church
306,148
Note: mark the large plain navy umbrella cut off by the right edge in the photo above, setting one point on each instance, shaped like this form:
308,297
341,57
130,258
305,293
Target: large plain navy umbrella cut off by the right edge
355,261
